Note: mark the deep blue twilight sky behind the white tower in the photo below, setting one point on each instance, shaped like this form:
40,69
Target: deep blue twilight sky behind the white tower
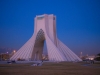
78,23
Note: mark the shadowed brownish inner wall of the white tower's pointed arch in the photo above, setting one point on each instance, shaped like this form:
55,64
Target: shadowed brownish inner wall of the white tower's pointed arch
38,46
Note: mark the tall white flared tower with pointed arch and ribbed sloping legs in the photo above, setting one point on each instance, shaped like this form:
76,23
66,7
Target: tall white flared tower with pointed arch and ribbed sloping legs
45,30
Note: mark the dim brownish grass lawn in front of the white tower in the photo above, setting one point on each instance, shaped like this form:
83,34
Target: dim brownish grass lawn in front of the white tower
62,68
